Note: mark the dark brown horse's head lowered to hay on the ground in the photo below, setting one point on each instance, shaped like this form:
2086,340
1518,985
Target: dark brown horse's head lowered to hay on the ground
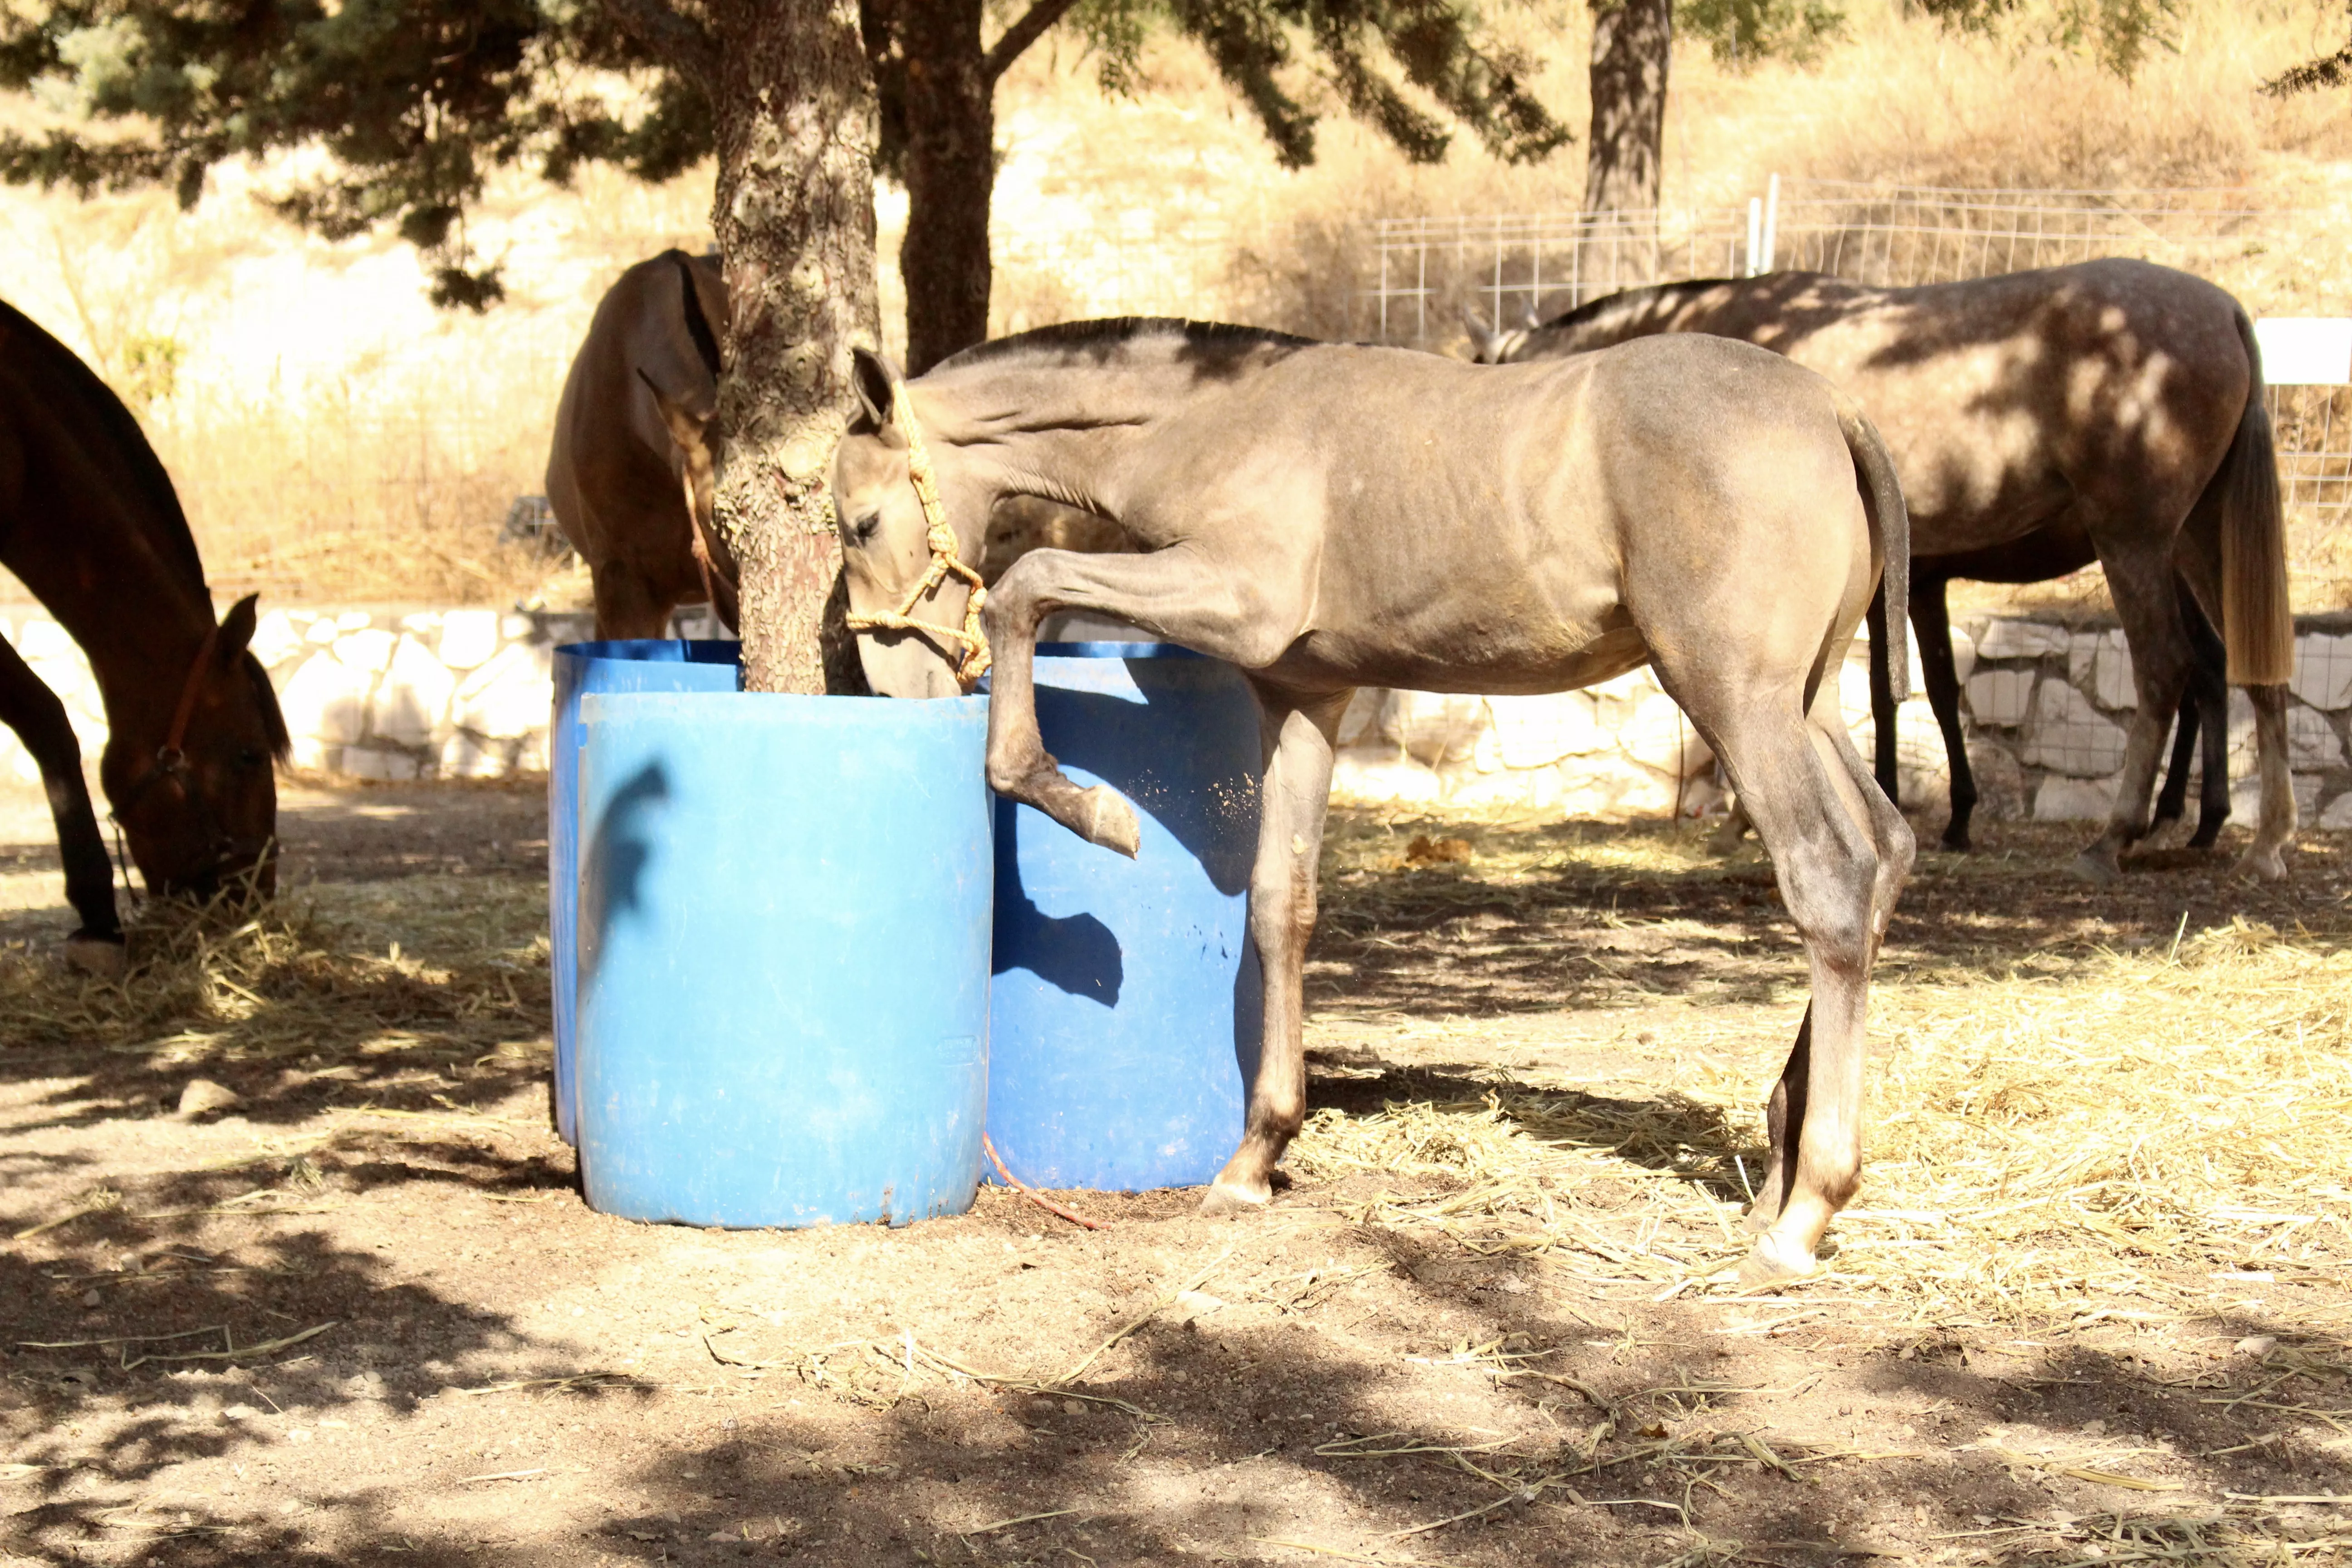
192,777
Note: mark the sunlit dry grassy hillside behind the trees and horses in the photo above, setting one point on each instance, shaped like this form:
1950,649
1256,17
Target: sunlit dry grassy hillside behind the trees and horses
340,441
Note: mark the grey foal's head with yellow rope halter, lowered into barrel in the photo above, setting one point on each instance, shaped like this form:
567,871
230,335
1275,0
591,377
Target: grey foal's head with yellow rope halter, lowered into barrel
907,601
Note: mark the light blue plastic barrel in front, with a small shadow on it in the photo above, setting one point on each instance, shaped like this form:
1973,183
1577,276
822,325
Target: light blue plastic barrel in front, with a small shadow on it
784,958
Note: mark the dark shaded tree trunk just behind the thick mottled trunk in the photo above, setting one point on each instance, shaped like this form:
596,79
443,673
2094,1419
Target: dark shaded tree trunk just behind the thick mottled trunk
949,177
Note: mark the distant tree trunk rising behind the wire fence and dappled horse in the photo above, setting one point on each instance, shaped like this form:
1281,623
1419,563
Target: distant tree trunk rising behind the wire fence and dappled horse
1633,43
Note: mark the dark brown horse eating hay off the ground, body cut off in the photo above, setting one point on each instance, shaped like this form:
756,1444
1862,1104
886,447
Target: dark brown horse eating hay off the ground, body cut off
91,523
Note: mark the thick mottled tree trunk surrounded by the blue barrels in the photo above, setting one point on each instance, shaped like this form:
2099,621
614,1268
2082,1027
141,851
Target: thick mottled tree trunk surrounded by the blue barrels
796,227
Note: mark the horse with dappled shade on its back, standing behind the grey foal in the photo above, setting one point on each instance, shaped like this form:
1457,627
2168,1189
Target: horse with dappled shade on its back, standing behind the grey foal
2040,420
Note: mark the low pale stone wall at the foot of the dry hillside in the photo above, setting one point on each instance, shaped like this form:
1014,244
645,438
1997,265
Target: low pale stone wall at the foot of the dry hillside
465,695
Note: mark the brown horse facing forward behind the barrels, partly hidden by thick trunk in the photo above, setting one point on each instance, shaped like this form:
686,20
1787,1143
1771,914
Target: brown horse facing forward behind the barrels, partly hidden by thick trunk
632,467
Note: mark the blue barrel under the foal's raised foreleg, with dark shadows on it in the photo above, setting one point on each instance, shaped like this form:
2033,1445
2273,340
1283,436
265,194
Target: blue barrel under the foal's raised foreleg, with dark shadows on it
1125,1003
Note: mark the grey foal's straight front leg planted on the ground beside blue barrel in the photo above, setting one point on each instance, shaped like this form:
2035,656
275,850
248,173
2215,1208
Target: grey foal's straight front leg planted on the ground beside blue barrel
1299,746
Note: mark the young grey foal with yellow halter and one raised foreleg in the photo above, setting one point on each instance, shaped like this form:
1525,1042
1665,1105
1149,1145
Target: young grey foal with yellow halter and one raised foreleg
1330,518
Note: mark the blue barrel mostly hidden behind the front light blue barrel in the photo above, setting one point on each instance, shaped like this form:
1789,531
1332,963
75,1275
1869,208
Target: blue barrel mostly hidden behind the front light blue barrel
601,666
